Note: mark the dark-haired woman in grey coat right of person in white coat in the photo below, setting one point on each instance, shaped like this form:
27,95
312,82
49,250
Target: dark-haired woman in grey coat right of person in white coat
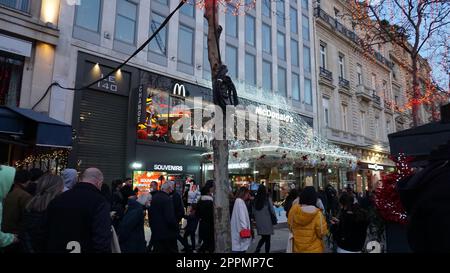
265,218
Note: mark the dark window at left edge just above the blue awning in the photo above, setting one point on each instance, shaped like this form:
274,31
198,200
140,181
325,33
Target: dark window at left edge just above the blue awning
11,71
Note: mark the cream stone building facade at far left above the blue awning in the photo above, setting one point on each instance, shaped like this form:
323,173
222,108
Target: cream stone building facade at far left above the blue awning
28,40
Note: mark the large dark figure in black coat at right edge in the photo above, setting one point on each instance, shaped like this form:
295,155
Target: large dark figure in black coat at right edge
425,197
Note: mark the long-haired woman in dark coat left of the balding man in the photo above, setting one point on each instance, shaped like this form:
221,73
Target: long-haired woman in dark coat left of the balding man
33,235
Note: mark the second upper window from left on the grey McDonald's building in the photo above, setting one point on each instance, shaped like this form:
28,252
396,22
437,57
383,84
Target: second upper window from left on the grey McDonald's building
126,21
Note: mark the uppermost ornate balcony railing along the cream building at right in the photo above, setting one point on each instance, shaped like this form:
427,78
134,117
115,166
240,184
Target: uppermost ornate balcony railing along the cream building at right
339,27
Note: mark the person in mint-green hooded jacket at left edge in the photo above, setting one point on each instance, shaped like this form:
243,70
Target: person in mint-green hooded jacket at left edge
6,181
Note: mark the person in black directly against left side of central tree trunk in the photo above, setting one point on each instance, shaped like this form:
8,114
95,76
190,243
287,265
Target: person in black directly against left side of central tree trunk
205,214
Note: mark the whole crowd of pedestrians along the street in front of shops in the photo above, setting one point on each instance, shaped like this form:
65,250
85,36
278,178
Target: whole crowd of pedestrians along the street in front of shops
80,213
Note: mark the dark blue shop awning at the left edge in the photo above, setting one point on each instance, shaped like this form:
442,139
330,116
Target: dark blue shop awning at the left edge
28,126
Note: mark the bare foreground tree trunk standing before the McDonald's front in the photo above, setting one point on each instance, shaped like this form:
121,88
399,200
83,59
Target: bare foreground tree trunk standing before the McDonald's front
220,147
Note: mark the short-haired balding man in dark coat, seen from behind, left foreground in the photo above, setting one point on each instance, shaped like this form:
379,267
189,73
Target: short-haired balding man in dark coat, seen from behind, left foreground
79,220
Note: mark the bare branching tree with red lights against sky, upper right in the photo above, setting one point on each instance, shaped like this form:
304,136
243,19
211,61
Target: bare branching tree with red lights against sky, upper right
412,25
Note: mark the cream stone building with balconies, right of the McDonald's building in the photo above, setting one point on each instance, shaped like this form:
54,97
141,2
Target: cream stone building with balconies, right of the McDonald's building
354,91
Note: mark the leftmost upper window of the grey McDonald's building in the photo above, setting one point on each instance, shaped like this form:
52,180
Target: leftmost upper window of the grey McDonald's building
87,15
